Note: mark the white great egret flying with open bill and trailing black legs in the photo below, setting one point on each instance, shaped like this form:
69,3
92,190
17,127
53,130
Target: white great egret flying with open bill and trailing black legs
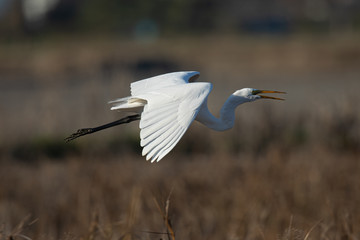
167,104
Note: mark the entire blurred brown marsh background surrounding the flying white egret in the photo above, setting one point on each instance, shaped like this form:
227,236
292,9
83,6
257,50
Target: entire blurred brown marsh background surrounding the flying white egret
288,170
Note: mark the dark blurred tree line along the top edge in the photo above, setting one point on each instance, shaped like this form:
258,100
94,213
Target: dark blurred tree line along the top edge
123,17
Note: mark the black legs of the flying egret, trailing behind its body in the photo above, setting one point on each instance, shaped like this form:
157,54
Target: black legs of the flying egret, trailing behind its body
85,131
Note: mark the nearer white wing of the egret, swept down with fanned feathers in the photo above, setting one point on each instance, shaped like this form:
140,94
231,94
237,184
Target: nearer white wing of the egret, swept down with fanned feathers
167,115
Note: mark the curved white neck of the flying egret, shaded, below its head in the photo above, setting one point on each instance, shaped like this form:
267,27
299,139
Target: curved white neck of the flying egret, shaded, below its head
227,114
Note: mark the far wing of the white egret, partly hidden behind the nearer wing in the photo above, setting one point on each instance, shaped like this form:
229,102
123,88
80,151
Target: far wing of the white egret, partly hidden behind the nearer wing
162,81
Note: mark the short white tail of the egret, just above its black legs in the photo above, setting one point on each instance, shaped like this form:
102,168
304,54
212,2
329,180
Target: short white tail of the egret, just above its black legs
128,104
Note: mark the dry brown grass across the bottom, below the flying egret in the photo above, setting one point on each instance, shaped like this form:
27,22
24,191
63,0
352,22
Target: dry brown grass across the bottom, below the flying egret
297,195
